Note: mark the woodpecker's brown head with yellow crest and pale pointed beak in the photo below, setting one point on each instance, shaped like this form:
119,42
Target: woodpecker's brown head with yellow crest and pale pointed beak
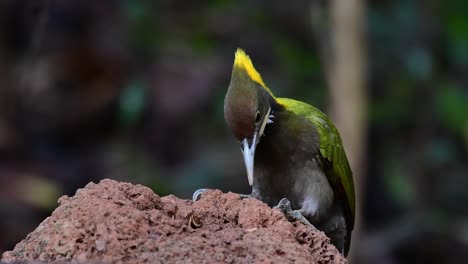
247,107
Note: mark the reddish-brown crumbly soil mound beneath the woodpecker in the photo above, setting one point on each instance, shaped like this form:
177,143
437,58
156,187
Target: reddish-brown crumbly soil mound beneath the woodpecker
113,222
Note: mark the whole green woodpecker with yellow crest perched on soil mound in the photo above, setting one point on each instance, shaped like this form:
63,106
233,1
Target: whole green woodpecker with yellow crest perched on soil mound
300,164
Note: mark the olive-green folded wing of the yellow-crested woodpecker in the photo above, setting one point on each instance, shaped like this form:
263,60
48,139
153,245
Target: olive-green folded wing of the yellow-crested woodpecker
331,149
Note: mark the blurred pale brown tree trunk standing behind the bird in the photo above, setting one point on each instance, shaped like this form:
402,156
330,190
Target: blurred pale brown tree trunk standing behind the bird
344,59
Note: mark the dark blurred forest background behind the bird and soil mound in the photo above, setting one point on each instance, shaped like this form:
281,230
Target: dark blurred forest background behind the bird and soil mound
134,90
